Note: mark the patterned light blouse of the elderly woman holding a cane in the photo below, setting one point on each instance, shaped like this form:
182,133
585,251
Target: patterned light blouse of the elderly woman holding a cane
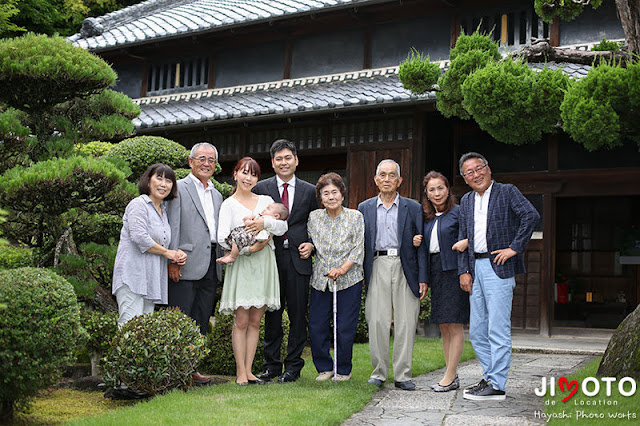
336,241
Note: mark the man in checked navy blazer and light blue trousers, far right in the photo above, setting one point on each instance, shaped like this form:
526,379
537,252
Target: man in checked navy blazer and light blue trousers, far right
498,221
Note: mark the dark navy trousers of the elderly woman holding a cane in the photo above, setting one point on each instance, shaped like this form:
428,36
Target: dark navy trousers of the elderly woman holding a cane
321,333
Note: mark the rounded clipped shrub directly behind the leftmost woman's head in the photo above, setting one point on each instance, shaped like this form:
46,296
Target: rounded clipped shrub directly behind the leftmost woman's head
142,151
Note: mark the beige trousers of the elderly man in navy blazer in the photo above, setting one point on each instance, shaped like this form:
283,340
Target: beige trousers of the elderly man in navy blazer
389,296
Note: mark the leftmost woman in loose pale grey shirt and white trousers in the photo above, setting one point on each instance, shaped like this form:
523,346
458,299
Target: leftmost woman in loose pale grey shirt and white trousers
140,270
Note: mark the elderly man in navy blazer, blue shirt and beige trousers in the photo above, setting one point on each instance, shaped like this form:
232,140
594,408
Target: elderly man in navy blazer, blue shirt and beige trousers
395,280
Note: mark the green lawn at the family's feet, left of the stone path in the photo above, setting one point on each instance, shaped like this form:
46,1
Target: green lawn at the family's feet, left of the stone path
303,402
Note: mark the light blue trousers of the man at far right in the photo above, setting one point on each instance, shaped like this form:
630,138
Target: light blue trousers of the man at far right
490,322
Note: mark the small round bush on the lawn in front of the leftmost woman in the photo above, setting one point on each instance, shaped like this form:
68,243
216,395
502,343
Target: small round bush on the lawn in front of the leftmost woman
155,352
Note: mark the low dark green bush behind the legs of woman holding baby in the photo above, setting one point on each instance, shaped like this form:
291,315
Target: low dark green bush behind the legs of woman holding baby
221,360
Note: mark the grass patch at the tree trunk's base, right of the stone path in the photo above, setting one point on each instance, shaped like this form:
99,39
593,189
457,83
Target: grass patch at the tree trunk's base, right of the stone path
628,407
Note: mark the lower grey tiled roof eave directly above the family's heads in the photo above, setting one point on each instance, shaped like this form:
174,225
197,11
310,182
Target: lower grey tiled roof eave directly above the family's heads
360,89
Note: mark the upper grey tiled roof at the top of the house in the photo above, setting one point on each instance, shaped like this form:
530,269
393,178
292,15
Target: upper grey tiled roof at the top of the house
158,19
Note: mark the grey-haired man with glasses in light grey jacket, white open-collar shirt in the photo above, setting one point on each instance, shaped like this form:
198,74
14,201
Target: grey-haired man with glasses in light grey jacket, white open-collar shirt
193,217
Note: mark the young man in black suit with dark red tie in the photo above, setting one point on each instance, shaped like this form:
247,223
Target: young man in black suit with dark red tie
294,263
